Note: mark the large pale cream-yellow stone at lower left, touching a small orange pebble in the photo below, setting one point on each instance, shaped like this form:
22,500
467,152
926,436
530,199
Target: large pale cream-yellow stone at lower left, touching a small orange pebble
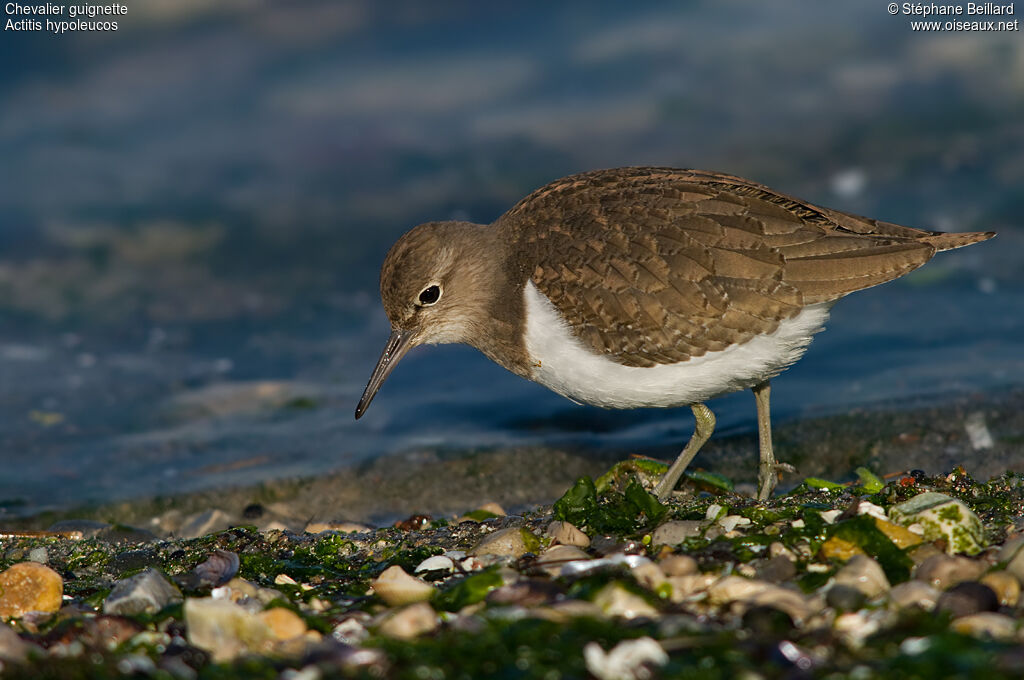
224,629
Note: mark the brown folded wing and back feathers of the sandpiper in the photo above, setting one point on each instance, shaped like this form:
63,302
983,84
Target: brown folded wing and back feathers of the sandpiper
657,266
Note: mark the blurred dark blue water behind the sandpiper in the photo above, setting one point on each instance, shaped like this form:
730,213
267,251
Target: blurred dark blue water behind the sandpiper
193,212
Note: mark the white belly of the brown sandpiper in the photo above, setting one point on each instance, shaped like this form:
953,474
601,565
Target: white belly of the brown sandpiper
563,364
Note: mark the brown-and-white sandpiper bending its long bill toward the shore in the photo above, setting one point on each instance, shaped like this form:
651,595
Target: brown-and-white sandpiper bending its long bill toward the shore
644,287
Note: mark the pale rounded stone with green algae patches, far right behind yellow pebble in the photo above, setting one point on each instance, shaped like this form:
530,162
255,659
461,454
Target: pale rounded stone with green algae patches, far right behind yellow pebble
943,518
